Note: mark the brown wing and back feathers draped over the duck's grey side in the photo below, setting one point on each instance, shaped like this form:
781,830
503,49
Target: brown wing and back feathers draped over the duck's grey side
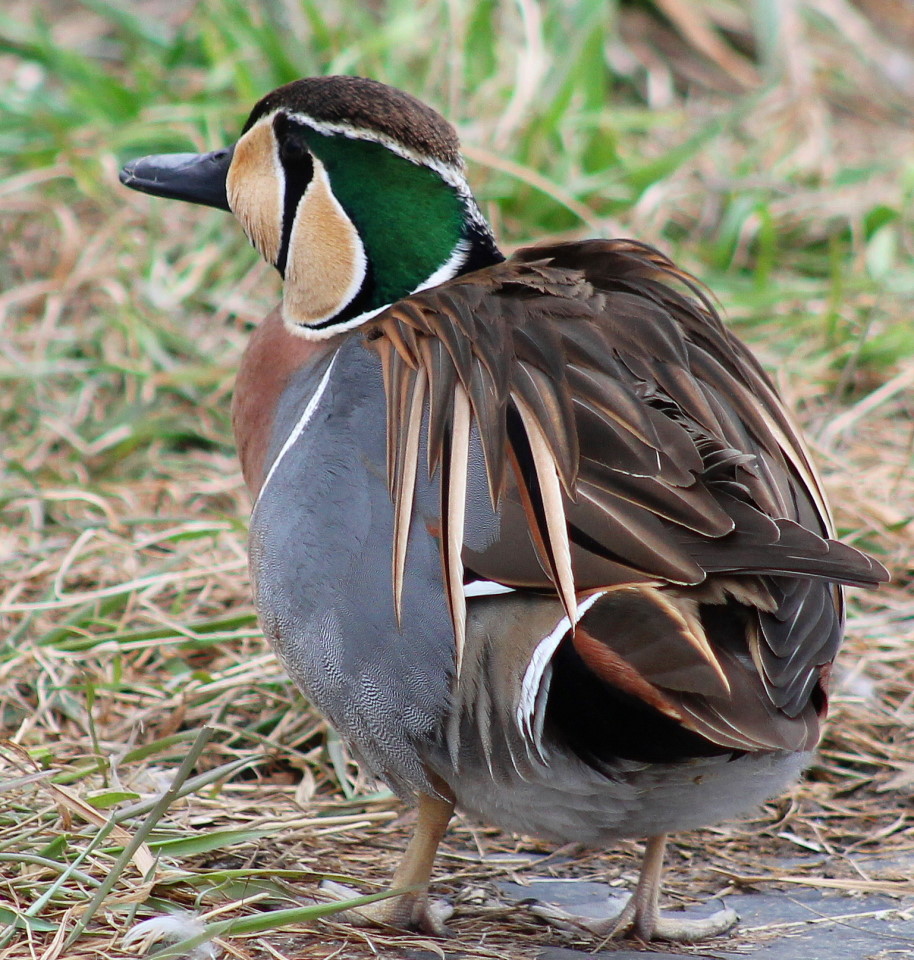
628,438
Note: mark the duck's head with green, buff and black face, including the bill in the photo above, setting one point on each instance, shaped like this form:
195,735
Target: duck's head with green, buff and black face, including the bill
354,191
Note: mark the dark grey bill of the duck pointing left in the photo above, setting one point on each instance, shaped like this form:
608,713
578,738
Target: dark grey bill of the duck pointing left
194,177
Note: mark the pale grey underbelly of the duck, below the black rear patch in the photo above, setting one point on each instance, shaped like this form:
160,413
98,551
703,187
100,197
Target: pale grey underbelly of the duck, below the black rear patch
568,801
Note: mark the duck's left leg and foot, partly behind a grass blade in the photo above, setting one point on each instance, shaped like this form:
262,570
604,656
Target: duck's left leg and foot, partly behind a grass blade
411,910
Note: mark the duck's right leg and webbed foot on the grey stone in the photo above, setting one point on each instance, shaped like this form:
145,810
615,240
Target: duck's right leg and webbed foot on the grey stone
641,914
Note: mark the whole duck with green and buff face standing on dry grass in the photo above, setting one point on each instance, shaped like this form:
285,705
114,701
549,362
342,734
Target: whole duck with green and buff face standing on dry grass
536,534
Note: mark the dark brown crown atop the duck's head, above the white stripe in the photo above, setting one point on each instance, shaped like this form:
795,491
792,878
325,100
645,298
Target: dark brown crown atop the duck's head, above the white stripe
368,105
